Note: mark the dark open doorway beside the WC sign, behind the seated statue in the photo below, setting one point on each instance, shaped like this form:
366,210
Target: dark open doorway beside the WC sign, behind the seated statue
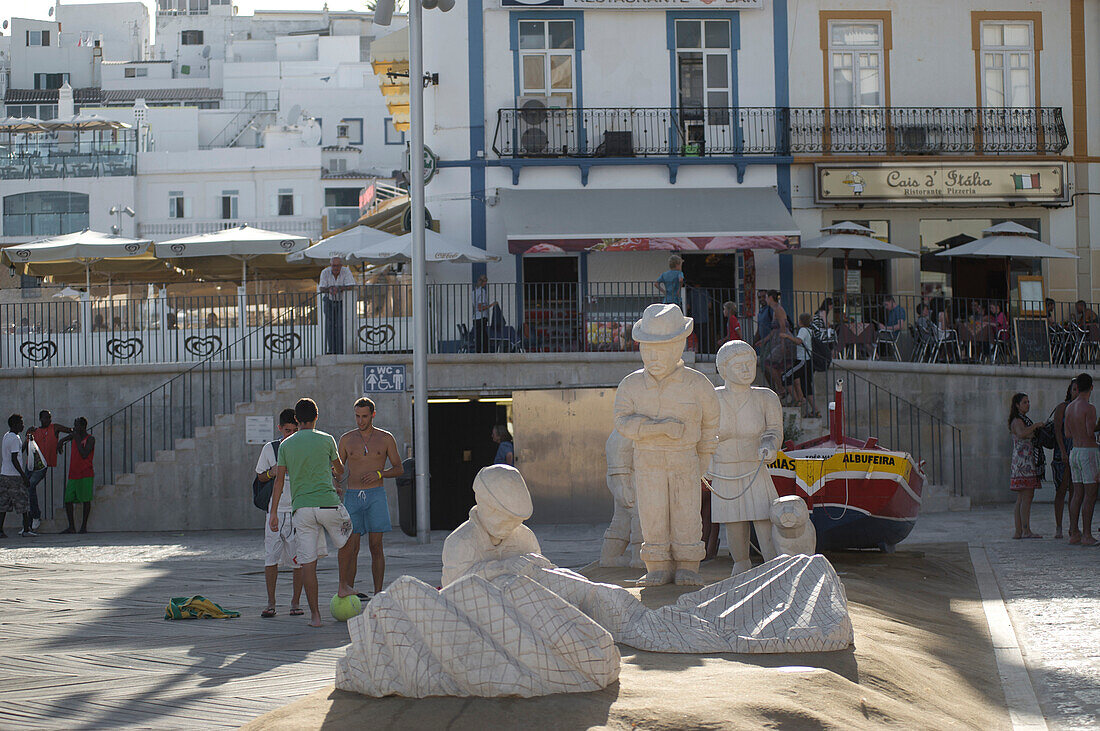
459,434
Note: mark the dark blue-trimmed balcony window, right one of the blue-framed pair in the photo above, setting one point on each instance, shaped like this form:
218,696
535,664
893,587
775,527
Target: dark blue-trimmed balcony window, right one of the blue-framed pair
703,67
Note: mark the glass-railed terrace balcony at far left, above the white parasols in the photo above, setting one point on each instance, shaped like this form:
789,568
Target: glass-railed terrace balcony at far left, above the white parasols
86,159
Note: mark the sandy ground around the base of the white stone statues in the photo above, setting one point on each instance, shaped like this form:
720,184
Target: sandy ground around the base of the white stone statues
922,659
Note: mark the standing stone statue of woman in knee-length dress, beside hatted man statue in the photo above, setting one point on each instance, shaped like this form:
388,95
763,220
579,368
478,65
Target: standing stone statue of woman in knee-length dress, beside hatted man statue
750,434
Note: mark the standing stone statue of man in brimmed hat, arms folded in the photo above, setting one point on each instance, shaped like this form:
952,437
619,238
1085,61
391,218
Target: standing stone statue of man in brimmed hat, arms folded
672,414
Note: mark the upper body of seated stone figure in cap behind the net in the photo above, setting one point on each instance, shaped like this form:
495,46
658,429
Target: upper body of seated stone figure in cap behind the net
496,529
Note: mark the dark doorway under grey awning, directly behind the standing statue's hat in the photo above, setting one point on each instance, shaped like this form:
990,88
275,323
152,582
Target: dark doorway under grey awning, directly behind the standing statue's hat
712,280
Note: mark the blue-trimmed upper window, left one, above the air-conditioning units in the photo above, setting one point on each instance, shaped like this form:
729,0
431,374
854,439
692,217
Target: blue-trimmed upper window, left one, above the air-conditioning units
546,59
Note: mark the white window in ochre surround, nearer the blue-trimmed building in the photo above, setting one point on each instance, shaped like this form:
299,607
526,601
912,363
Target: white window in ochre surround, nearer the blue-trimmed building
856,63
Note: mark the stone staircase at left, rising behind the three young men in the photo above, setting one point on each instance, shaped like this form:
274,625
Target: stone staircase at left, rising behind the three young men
190,481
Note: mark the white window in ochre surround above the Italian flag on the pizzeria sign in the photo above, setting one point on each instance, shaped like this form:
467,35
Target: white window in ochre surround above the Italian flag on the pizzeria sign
1008,60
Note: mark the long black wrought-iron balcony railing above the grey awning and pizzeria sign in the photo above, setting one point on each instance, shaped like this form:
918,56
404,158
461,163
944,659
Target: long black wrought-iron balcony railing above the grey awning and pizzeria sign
690,132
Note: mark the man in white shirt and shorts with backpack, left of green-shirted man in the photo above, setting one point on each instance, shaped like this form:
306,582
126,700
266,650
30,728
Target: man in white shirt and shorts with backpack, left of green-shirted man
281,549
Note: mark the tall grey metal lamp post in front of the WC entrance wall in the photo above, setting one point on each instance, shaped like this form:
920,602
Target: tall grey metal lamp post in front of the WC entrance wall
383,14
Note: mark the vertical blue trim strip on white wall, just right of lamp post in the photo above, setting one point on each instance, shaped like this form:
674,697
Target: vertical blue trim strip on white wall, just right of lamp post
476,30
